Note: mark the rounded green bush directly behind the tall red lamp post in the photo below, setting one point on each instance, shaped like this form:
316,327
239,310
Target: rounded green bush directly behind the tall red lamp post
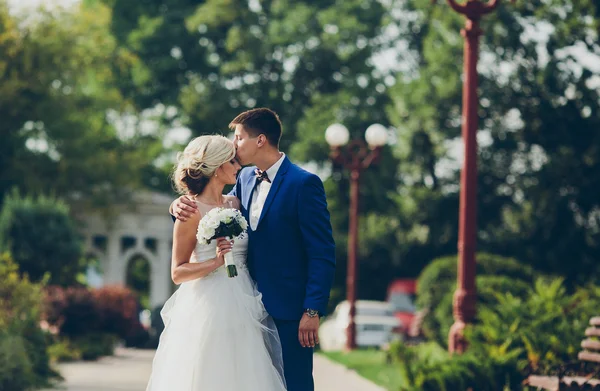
437,283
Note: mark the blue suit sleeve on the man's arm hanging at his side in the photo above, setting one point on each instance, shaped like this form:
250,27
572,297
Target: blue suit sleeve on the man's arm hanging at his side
317,236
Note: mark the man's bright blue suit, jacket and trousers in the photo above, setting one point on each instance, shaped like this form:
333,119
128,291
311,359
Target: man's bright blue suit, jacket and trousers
291,256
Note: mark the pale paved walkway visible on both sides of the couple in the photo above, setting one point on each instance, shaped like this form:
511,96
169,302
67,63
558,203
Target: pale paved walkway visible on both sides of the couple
129,370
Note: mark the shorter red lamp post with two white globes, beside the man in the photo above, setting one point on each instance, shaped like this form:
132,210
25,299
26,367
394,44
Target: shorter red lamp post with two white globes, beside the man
355,157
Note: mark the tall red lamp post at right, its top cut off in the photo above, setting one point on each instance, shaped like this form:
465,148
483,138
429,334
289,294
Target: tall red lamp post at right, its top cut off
465,295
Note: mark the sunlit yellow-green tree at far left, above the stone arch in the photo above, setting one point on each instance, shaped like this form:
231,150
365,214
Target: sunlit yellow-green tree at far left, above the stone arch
58,104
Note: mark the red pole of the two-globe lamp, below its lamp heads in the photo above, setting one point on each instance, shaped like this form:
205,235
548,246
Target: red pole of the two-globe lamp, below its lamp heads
352,274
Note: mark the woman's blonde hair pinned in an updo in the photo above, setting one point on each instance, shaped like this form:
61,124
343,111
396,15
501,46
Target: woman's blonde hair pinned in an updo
199,161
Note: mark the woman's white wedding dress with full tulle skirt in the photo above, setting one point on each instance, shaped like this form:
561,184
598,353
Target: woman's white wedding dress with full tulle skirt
218,336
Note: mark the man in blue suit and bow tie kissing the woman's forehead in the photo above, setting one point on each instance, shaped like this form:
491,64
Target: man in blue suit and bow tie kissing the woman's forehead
291,252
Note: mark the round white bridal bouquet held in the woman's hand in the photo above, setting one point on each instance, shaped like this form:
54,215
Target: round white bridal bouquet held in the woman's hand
222,223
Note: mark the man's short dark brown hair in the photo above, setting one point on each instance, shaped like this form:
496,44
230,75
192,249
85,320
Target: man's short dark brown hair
260,121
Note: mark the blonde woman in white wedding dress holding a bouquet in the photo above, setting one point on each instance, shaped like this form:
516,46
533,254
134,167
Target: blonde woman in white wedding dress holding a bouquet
217,336
